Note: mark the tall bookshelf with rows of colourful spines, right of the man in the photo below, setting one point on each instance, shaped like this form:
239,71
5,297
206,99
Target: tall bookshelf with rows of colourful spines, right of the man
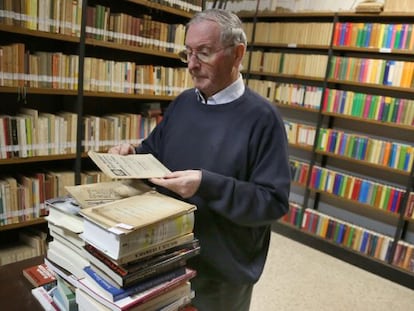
350,130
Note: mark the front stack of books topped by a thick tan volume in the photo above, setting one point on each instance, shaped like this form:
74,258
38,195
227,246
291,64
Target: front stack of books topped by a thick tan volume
137,248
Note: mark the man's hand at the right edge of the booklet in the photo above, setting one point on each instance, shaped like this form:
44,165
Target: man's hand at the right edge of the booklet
184,183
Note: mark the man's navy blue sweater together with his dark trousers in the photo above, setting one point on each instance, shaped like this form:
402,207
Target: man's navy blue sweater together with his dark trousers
241,148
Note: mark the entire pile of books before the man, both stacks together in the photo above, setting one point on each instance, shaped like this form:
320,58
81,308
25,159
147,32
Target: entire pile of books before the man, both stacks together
130,250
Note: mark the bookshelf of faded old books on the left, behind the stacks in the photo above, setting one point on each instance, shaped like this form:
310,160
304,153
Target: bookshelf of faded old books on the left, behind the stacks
101,72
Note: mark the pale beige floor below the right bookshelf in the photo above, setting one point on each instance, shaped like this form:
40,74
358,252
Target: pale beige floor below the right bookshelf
297,277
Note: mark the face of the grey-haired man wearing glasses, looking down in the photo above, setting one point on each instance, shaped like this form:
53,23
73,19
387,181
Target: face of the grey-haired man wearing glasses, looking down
218,72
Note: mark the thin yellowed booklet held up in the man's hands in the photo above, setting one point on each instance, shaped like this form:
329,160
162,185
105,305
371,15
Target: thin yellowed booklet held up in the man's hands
129,166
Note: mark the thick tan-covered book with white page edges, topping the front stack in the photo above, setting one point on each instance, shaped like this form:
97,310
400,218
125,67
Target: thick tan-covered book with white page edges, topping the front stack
121,227
